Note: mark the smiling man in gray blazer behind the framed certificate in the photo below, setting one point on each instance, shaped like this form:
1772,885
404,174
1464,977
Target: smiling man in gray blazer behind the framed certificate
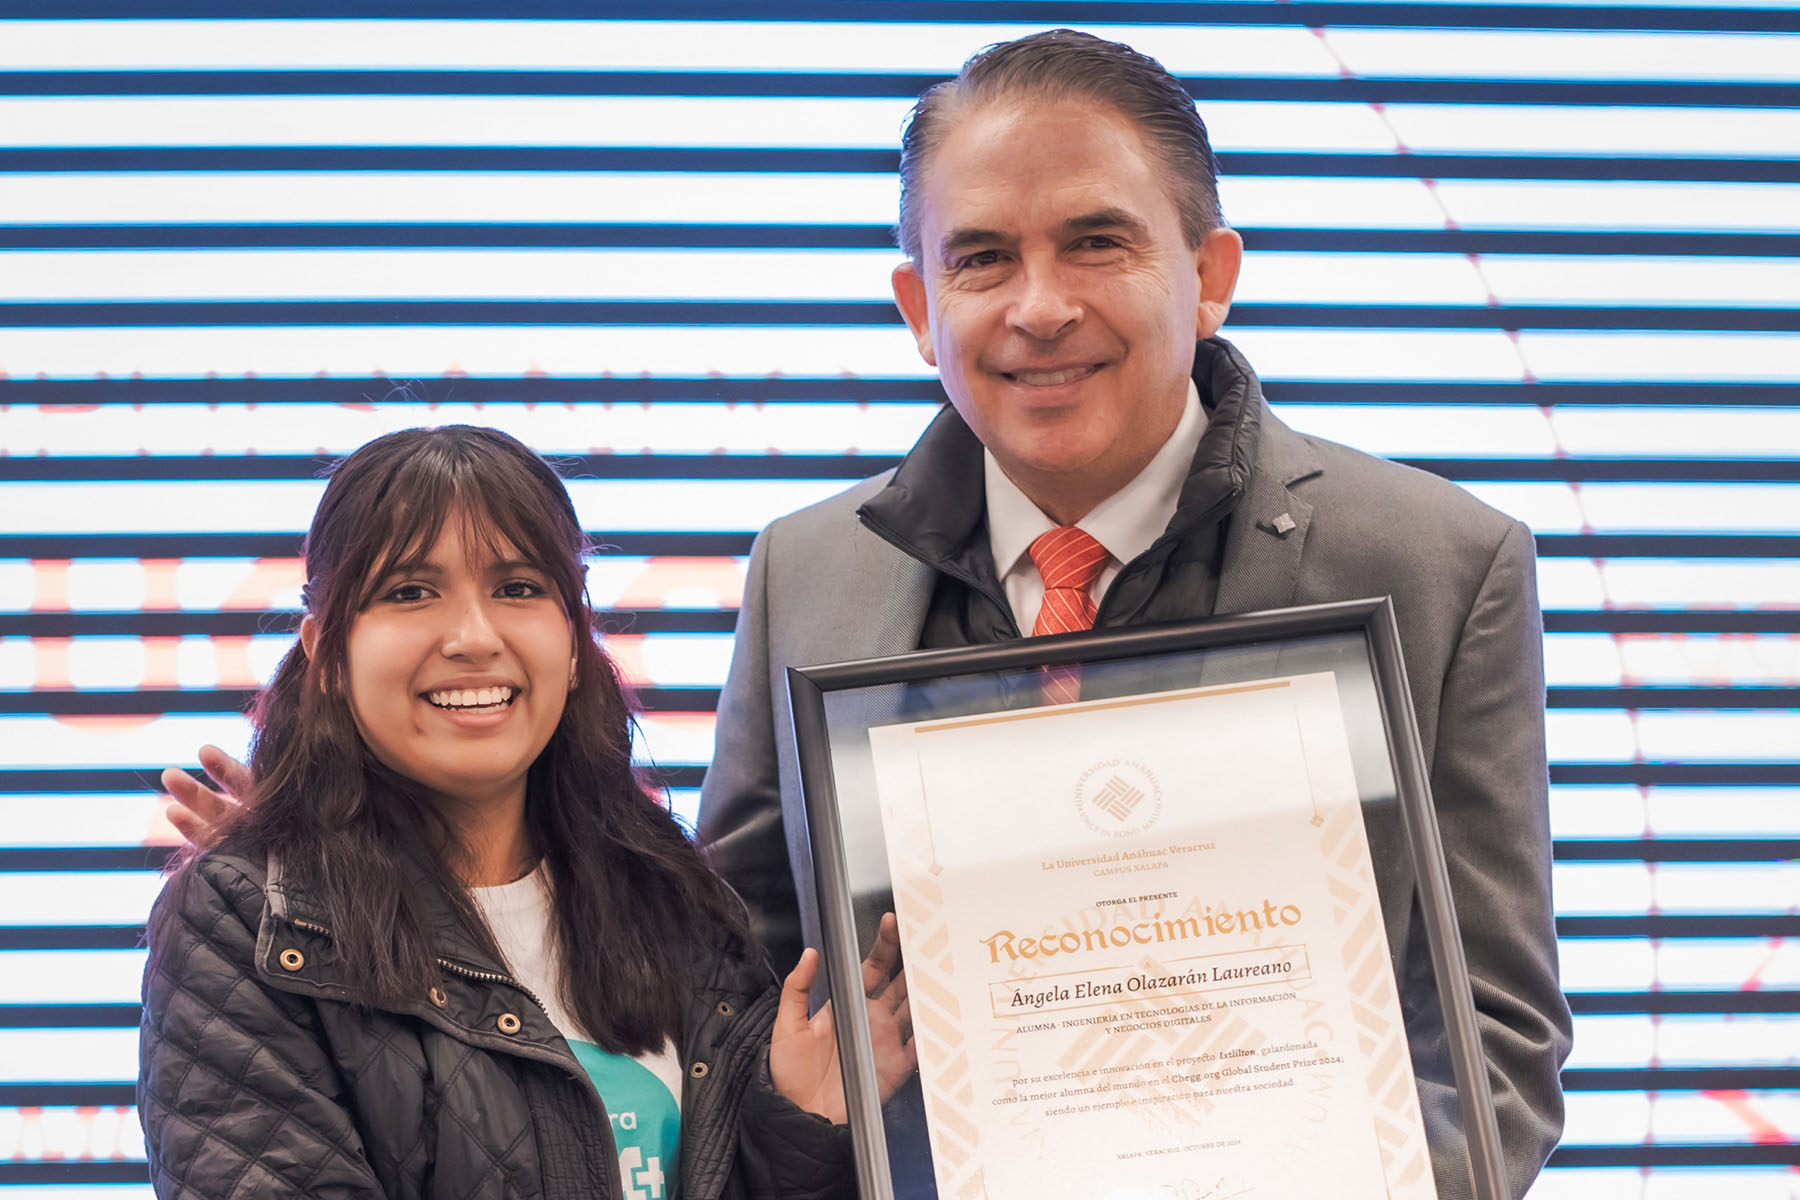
1068,271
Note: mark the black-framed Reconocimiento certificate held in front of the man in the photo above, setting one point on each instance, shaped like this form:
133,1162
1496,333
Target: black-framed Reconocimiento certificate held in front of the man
1173,911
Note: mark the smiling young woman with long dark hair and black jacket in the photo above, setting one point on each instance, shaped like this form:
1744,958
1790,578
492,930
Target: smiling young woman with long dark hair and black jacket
454,947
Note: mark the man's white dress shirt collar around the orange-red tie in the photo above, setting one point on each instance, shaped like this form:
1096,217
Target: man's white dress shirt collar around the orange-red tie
1126,523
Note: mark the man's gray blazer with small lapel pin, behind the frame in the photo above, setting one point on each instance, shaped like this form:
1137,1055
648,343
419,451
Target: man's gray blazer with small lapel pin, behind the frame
823,589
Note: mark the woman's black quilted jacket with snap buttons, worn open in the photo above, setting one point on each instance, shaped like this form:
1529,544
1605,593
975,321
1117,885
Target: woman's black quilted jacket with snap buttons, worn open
258,1079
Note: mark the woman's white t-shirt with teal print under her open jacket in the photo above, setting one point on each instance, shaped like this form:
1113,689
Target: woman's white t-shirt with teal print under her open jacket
643,1093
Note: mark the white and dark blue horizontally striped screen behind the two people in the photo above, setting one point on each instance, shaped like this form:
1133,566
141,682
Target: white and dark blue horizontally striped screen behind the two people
1551,253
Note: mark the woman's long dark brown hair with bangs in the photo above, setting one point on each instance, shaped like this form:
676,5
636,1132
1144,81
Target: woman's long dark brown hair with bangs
631,891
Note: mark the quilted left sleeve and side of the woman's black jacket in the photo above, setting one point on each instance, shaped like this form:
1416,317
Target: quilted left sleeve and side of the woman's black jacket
274,1088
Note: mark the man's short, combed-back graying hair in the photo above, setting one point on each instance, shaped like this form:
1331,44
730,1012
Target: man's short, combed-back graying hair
1063,64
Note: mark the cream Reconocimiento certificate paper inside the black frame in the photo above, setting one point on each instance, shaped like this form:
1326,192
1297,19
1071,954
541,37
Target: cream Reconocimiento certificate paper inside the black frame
1146,953
